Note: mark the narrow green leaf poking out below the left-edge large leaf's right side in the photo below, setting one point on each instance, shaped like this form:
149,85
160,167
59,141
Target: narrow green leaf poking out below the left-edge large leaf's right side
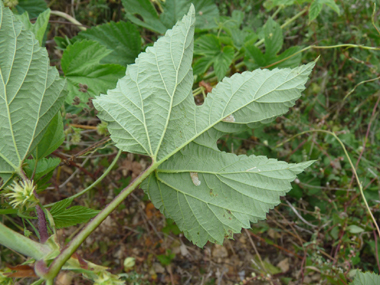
52,139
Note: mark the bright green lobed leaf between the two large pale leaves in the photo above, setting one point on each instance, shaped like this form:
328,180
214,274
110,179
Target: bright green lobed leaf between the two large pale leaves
86,77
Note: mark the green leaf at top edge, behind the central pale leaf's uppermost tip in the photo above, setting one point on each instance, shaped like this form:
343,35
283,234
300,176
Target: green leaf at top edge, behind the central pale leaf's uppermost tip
173,10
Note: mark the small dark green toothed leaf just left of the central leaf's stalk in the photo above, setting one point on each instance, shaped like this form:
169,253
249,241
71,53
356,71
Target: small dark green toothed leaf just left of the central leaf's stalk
73,216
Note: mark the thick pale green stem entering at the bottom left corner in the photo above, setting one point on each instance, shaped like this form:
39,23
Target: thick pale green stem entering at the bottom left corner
22,244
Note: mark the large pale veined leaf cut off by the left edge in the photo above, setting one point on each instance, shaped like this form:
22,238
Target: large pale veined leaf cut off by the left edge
31,92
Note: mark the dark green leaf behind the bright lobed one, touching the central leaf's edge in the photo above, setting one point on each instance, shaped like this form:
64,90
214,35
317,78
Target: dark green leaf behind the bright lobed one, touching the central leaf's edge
122,38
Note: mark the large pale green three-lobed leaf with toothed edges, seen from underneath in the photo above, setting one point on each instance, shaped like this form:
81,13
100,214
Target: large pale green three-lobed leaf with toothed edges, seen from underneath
209,194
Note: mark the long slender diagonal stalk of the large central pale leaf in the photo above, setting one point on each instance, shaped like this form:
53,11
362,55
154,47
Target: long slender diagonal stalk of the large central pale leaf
93,224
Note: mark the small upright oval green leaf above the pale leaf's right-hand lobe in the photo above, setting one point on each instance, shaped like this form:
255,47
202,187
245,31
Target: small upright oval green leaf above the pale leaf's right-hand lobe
273,38
